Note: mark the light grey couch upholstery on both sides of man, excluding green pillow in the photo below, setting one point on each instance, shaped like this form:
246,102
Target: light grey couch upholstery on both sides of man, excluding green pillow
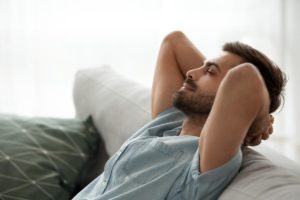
119,107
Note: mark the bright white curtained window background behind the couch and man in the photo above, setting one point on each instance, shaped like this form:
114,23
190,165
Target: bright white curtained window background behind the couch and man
43,43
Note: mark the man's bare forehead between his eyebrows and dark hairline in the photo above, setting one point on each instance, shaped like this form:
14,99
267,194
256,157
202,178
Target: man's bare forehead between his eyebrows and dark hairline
227,60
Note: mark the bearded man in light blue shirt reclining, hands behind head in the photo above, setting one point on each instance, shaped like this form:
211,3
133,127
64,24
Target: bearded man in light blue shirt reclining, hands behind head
203,112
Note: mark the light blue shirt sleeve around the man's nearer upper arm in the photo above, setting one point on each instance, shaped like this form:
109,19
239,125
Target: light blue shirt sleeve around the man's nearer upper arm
210,184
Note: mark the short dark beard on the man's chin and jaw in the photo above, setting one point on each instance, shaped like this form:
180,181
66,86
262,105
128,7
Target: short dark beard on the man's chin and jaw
194,105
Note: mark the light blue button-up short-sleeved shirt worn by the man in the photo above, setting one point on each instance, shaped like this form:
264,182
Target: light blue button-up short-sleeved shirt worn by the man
157,164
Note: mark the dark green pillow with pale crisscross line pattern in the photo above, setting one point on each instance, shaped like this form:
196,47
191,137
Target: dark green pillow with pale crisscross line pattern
41,158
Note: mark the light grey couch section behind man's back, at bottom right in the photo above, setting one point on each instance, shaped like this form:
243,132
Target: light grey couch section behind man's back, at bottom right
259,178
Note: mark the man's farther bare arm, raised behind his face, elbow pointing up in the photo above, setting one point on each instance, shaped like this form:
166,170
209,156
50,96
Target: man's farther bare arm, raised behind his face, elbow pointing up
177,55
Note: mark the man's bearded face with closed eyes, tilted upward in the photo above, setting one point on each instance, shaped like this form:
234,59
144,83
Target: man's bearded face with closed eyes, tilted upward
196,96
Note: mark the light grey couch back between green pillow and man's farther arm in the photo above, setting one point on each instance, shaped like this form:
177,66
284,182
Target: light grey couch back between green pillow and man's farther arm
119,106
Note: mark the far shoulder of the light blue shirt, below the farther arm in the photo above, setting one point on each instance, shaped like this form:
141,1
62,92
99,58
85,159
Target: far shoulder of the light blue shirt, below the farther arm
168,119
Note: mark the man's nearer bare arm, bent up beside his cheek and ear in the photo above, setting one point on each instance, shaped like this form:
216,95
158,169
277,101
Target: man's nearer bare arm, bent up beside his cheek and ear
242,98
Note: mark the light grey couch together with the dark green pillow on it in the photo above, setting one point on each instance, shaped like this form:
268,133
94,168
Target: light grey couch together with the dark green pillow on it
52,158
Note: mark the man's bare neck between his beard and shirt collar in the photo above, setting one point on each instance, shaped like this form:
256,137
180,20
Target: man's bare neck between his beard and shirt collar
193,126
